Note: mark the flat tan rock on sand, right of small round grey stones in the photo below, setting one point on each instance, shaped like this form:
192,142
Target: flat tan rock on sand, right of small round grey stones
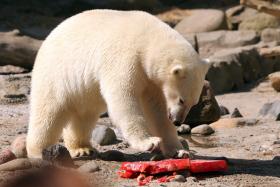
226,123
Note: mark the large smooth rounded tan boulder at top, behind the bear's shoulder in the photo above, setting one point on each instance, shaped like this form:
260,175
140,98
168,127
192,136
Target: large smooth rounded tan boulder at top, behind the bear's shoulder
209,20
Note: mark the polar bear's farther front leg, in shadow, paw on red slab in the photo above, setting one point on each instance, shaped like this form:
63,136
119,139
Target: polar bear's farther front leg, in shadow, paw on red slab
161,126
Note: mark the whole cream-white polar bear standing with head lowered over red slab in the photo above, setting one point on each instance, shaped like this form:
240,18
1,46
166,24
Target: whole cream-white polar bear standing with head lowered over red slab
129,63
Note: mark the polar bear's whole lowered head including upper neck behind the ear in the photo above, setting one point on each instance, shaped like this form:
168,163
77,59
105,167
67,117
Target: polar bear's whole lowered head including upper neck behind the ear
180,72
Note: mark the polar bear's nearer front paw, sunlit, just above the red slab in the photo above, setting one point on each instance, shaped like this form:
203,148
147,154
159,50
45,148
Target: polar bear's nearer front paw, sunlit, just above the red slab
151,144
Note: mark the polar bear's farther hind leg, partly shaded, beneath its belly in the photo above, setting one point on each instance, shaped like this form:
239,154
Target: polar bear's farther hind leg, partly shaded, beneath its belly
77,135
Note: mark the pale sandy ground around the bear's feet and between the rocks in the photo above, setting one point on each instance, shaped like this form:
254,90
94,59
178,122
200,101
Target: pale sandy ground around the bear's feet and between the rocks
253,157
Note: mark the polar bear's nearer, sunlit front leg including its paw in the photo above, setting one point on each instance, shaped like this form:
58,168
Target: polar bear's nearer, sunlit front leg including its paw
125,111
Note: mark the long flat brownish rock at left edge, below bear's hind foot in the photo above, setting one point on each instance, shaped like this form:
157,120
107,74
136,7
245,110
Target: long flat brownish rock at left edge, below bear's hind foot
22,164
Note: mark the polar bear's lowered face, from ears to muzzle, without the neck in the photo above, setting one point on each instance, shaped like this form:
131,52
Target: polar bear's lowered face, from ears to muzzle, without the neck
183,87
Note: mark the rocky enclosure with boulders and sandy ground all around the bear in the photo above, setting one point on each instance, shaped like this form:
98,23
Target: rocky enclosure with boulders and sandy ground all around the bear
238,114
